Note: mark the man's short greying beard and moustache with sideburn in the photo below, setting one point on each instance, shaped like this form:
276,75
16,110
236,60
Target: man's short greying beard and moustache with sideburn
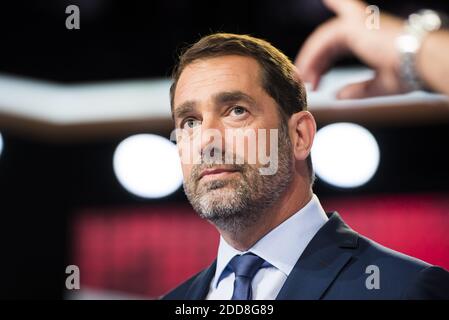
235,203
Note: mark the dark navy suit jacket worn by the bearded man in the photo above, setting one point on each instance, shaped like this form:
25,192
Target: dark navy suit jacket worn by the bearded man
334,266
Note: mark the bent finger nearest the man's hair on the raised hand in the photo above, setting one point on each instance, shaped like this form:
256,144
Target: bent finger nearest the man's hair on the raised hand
320,50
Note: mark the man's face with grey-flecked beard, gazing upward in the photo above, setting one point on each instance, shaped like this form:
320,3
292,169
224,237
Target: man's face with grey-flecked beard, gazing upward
216,98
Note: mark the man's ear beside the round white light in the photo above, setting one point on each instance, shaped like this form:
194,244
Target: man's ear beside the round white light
302,128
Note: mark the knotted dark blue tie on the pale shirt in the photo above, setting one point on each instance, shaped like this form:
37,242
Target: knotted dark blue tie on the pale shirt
245,268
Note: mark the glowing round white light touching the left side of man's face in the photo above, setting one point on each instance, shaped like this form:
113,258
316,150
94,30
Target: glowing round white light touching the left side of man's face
148,166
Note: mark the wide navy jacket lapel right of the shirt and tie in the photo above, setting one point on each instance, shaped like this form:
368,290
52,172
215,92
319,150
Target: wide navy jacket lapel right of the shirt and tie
321,262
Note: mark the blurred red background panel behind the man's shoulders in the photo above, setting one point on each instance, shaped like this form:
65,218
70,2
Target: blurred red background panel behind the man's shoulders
149,250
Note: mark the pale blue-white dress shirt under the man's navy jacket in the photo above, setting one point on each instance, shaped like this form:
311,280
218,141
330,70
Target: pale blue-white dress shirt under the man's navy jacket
280,248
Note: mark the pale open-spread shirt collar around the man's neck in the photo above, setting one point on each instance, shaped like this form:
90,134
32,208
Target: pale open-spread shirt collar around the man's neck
283,245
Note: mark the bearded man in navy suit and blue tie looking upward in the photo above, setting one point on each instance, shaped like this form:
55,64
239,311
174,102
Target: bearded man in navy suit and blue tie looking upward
276,240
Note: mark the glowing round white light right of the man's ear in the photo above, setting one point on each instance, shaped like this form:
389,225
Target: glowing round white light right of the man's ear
345,155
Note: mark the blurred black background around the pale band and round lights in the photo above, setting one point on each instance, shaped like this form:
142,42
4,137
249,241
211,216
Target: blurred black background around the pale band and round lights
42,183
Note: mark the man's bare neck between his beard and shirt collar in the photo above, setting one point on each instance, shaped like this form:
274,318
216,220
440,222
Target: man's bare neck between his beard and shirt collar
287,205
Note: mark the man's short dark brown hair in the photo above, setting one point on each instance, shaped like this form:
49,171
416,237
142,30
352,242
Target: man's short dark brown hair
278,75
